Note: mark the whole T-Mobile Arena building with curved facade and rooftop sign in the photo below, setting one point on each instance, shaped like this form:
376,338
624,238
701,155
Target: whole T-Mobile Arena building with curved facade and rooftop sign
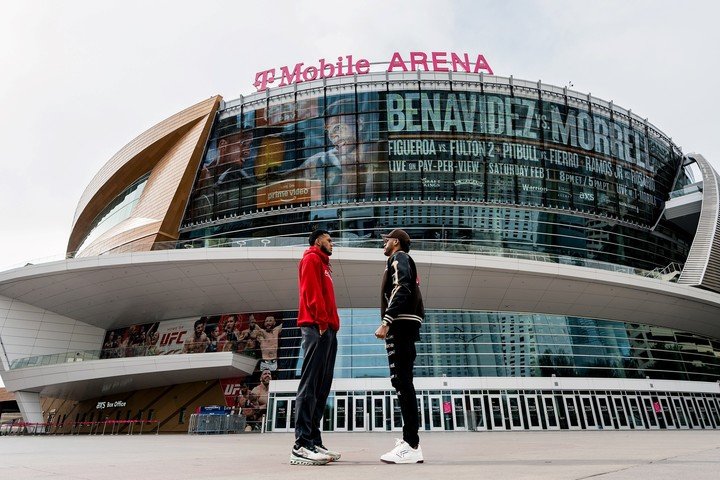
568,253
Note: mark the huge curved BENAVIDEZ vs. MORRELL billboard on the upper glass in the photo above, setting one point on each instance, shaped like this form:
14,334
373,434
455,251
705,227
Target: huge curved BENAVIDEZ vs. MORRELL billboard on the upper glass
472,146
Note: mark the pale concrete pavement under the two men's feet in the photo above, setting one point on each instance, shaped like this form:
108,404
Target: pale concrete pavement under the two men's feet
606,455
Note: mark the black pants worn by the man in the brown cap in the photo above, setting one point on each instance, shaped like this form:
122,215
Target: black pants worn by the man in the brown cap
401,356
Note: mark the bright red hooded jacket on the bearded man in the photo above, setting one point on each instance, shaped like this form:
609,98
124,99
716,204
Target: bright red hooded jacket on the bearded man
317,295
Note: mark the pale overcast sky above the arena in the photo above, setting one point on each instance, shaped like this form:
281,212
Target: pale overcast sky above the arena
80,79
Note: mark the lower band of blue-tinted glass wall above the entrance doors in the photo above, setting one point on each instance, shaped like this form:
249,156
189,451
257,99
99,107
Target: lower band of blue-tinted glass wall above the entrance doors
498,344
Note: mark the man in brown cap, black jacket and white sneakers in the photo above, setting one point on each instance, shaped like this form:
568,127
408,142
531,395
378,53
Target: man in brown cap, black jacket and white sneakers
402,313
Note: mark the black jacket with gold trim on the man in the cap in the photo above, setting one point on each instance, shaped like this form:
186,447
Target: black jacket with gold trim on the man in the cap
401,304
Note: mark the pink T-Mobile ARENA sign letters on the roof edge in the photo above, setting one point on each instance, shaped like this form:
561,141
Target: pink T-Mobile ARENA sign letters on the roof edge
347,65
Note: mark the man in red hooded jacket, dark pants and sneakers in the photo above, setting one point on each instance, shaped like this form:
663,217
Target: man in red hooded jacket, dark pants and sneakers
319,322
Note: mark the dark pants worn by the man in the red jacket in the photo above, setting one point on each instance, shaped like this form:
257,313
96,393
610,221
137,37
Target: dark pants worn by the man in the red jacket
315,380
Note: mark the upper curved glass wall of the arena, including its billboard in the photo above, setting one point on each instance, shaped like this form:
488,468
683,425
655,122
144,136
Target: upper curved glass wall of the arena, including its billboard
467,165
